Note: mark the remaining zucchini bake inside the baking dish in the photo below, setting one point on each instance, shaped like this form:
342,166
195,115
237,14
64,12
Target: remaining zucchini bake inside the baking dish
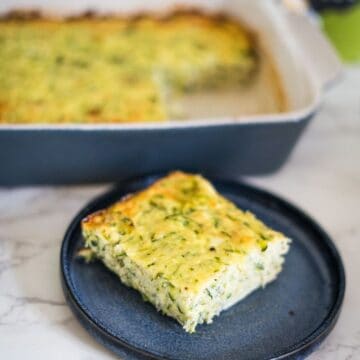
92,69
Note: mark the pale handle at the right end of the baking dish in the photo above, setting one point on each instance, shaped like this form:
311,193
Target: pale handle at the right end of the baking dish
320,55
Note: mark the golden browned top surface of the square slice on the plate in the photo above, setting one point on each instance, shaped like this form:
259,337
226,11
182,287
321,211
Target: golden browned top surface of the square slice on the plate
180,228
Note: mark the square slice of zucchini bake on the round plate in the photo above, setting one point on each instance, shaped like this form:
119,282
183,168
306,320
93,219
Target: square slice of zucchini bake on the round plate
187,250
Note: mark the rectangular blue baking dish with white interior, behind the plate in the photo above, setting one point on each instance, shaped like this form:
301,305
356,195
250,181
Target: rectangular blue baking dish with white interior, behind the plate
225,146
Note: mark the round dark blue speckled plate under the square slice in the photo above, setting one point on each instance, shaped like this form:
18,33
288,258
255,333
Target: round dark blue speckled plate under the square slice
286,319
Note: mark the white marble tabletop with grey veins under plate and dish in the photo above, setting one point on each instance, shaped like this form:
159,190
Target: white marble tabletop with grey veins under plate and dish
322,176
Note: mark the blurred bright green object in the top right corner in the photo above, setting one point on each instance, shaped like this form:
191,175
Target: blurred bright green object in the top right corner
343,29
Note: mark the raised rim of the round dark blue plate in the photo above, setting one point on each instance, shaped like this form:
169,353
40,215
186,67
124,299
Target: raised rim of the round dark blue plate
310,341
